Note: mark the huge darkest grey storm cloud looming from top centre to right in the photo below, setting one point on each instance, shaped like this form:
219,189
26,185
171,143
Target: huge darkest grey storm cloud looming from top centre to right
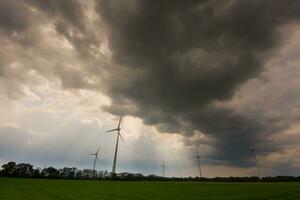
177,58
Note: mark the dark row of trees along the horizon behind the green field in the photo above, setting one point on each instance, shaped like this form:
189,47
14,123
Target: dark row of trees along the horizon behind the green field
24,170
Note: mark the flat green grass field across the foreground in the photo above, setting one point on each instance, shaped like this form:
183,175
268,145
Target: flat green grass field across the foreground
39,189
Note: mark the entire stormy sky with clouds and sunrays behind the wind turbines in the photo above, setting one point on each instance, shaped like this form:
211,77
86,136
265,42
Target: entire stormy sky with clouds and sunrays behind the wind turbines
219,77
